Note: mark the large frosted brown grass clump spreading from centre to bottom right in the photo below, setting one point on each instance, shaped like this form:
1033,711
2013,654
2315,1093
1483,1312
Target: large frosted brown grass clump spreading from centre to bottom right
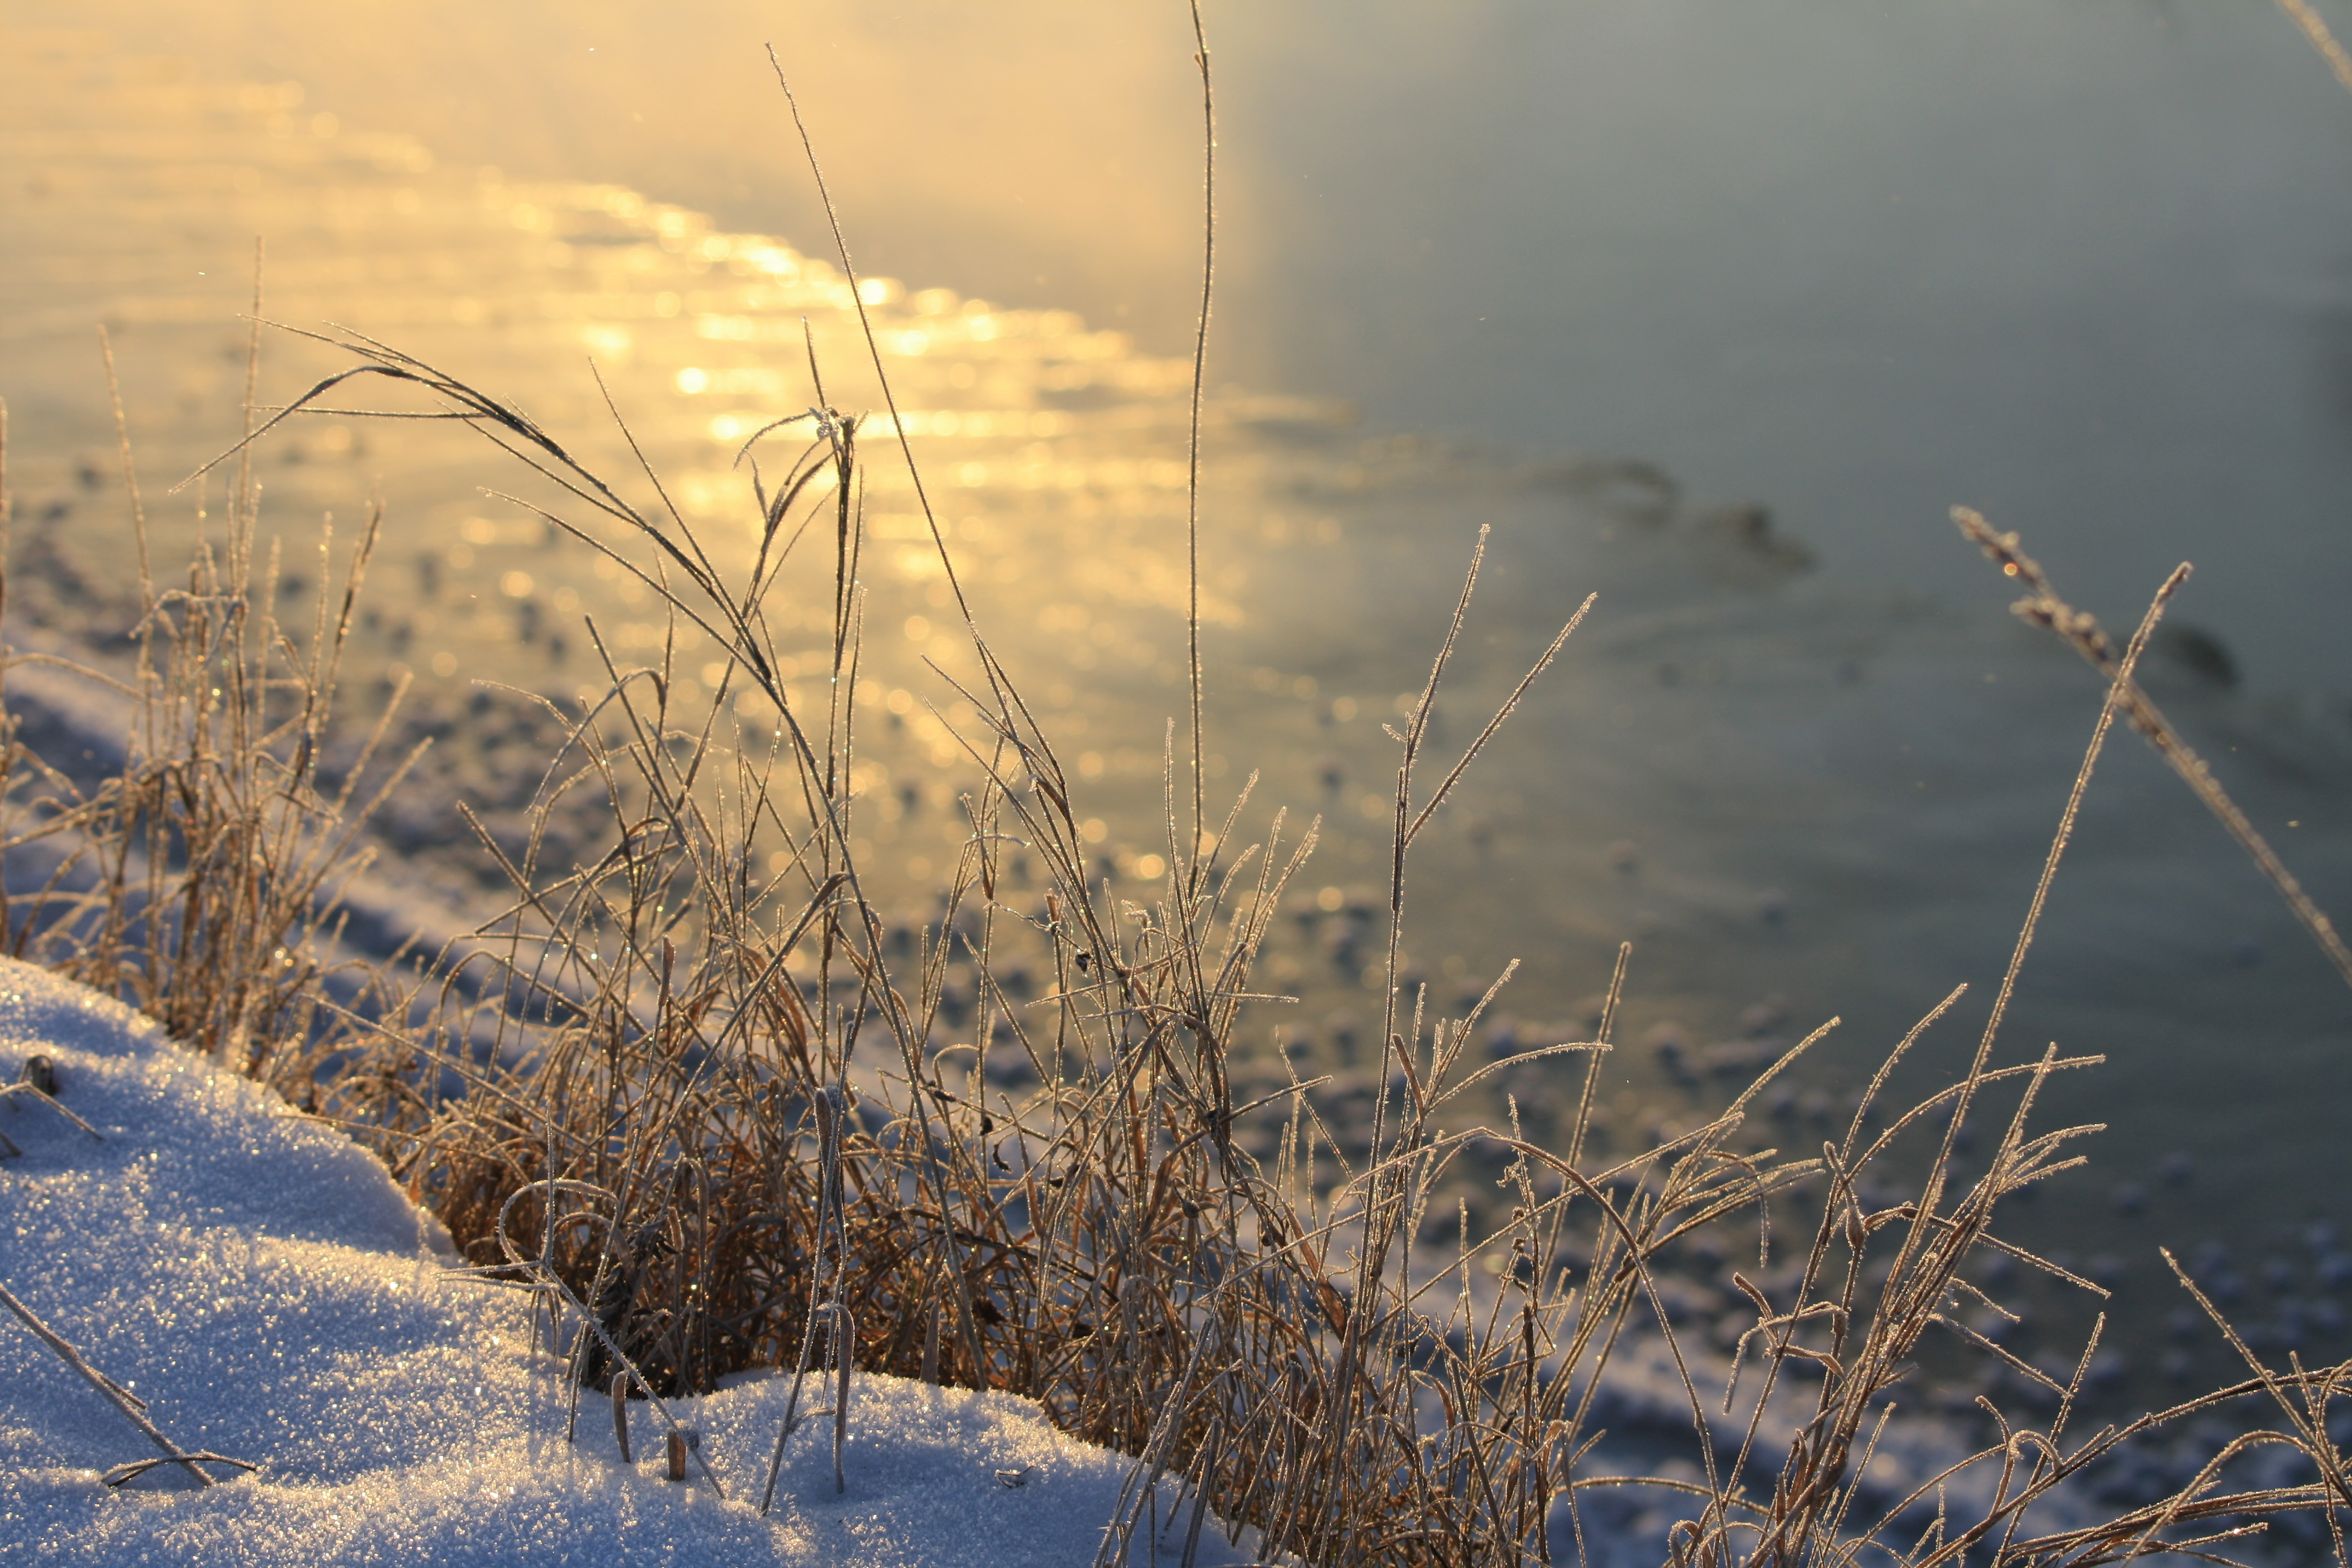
716,1118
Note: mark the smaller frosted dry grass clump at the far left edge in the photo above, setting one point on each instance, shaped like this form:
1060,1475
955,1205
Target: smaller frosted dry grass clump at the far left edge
201,880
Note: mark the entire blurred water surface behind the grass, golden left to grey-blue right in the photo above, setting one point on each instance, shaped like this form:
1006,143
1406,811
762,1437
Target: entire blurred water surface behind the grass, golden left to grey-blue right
1709,311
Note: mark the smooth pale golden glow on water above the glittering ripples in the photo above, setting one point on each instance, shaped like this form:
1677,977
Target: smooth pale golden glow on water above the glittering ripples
1036,154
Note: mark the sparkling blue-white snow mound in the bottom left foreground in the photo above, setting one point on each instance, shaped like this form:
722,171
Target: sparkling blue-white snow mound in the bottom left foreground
267,1289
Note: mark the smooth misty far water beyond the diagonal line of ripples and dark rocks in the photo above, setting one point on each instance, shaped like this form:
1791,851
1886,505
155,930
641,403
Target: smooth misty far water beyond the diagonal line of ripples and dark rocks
2078,264
